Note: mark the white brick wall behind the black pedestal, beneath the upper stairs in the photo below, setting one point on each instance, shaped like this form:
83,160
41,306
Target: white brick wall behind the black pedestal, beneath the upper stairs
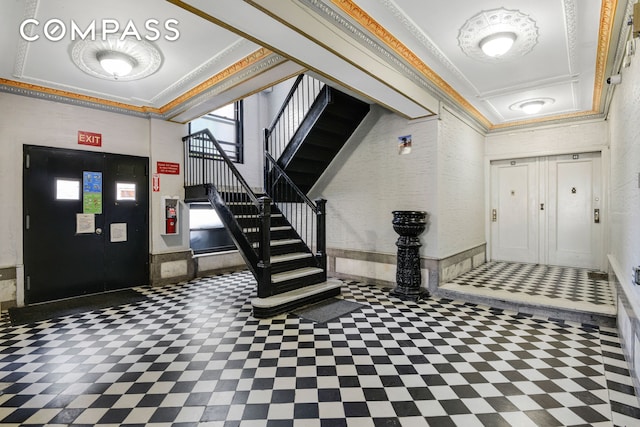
369,179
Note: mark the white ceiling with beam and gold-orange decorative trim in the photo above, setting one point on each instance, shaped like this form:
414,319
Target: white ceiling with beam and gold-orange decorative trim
411,56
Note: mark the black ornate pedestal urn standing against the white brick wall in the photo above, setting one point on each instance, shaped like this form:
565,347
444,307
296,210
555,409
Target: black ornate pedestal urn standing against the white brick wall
409,225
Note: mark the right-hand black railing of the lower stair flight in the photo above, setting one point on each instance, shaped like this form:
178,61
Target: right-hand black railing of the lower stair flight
307,218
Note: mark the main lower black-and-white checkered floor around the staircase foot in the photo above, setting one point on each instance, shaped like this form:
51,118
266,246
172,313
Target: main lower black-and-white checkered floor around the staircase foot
191,354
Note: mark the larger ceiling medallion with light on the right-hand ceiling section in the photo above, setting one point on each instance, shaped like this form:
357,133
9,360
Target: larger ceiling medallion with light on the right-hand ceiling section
486,24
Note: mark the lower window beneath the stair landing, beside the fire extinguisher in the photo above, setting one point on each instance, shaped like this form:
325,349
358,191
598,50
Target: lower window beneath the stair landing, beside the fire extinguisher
207,233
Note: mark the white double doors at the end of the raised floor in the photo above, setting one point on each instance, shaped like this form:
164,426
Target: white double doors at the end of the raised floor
547,210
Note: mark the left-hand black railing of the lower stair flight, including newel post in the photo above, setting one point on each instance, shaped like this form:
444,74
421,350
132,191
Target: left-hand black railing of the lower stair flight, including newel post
207,164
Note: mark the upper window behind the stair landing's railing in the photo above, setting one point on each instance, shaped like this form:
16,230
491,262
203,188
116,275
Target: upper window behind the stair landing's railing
225,125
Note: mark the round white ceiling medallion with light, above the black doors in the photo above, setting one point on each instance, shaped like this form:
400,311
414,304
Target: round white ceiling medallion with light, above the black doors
143,57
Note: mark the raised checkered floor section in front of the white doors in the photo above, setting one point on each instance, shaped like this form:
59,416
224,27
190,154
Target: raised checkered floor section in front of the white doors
538,284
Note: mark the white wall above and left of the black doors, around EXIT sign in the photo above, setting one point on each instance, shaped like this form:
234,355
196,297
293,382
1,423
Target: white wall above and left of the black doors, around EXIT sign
30,121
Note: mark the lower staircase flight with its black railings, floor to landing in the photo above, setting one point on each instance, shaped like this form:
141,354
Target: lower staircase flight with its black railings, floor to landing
282,243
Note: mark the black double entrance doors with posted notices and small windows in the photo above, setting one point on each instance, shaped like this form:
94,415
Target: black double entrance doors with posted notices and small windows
86,218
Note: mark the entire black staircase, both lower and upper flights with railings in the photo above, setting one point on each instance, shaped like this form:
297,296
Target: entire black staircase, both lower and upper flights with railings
281,232
